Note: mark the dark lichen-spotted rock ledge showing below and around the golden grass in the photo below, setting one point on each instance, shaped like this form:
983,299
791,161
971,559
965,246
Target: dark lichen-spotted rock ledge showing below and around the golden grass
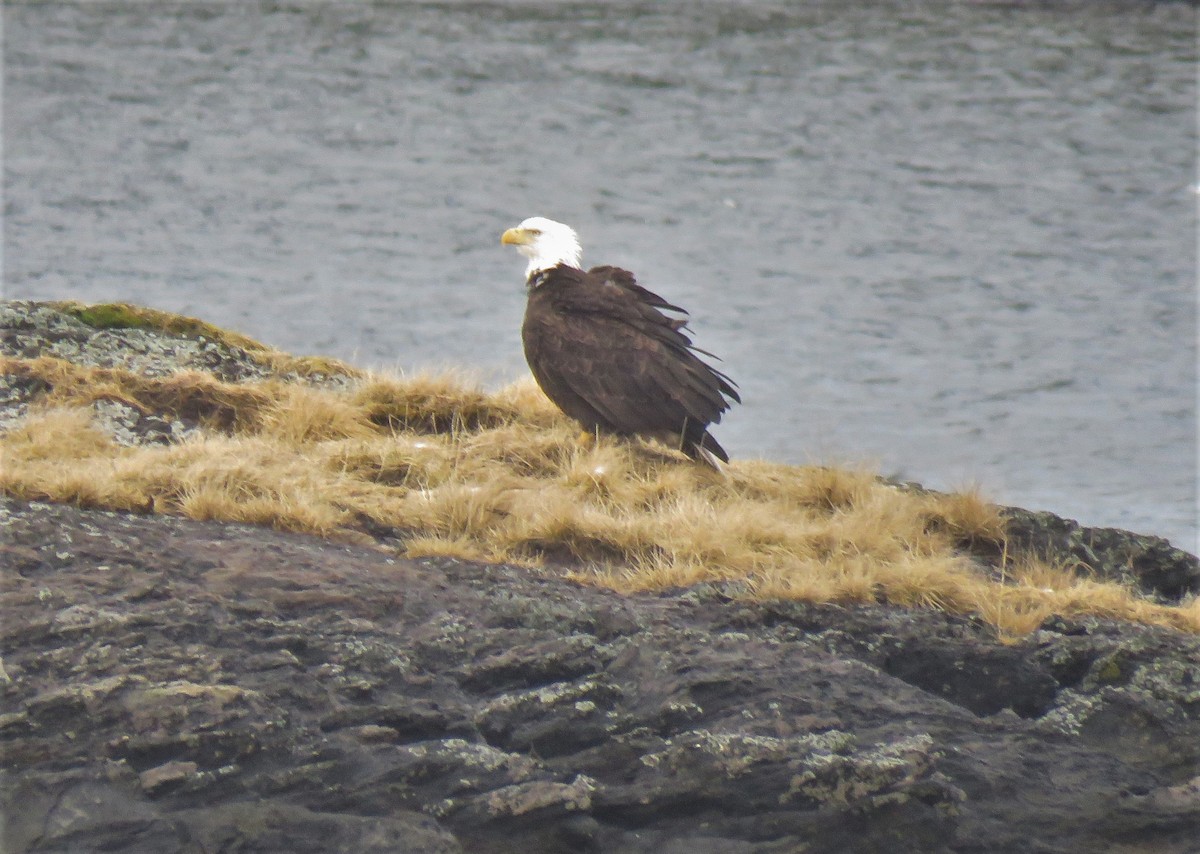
173,685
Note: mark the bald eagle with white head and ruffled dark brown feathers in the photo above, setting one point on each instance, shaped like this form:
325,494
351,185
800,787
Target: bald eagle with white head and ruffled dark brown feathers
603,350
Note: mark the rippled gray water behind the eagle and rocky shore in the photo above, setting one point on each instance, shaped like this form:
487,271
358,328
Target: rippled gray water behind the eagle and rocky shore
952,242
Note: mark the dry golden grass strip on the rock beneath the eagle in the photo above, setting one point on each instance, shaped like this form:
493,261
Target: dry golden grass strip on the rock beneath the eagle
452,471
